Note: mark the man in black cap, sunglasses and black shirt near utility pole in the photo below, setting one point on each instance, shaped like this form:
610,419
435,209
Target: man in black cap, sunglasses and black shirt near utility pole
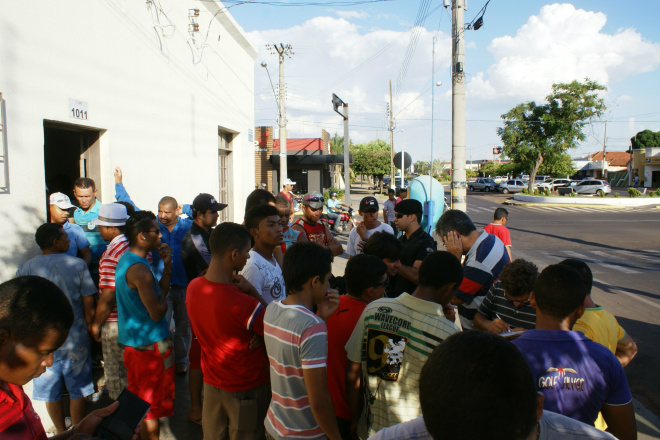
417,244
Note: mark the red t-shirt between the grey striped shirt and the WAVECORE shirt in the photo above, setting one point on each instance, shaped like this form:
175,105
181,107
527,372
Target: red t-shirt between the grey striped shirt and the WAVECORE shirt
340,327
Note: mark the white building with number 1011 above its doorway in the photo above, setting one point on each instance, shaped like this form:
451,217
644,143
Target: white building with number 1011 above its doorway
162,88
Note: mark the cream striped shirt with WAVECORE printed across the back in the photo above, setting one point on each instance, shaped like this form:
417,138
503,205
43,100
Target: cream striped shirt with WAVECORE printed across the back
392,339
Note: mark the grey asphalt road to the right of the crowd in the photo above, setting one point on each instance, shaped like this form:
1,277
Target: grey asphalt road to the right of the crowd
622,248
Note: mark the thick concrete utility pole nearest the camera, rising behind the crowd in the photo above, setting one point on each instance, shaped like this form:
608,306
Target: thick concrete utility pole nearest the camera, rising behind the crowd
458,193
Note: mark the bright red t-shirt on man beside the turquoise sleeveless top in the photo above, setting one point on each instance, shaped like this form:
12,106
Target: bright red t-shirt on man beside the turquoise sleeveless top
224,320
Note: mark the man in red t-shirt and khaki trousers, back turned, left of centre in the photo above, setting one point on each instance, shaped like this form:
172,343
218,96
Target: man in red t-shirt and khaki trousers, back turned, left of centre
225,311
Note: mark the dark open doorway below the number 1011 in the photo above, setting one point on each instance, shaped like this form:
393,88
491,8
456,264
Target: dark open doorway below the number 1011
70,152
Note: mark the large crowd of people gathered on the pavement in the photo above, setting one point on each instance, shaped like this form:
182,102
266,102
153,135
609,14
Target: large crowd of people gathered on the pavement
276,346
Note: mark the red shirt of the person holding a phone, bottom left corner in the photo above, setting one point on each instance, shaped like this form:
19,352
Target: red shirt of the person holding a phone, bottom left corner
18,419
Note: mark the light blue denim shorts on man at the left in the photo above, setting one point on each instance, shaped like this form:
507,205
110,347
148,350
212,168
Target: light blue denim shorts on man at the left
72,368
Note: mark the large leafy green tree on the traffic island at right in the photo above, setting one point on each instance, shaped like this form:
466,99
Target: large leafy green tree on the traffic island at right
535,133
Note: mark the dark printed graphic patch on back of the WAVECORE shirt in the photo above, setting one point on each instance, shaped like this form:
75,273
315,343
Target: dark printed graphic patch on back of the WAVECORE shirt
385,353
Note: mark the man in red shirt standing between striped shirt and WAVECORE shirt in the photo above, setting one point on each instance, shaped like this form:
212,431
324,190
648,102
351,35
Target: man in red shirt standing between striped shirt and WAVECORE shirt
366,279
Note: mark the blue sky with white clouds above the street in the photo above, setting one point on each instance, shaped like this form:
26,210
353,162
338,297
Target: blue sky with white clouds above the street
523,47
